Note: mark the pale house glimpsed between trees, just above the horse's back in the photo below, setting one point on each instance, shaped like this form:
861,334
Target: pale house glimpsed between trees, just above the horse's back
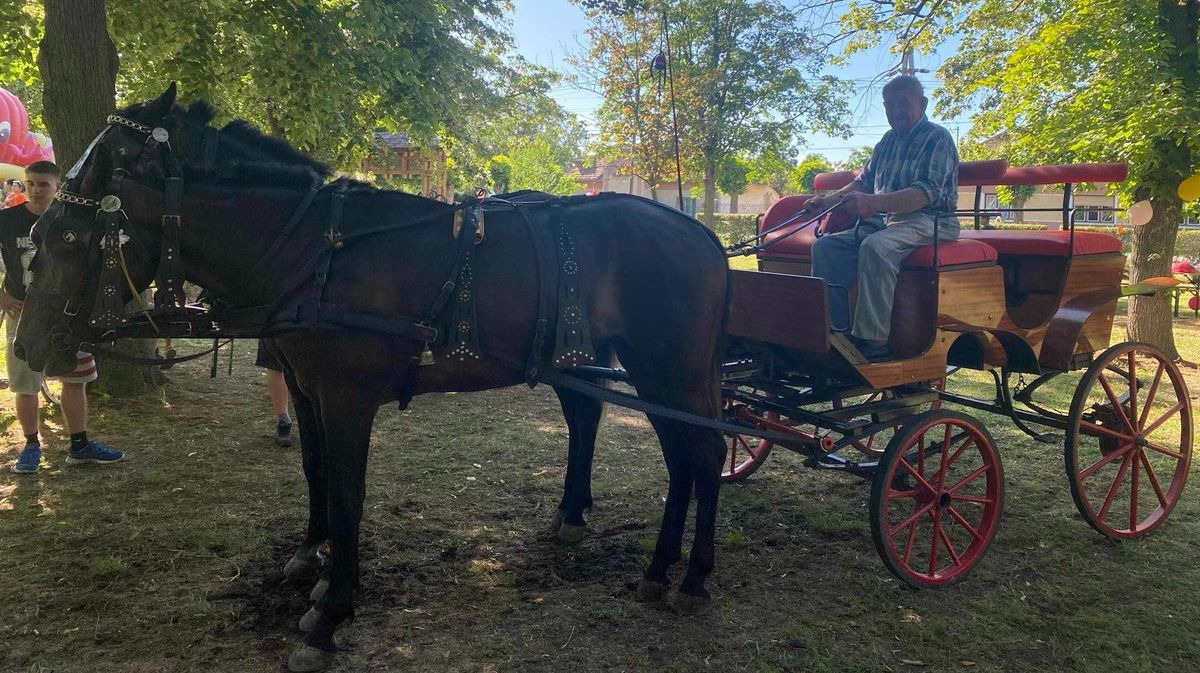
609,177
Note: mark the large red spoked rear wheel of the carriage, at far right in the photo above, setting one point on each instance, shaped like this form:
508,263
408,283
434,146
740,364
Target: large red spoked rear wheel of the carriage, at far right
1129,441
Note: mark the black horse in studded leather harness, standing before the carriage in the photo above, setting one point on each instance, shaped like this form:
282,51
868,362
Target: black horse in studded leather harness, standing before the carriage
353,284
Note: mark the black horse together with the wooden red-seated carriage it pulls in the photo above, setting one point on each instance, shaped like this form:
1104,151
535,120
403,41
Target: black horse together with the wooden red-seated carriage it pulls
373,297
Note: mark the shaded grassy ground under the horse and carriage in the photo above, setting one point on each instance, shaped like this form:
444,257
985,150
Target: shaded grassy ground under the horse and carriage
170,562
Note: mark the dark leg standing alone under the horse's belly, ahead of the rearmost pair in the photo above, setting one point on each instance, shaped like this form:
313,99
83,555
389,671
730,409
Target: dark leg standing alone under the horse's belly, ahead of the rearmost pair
583,416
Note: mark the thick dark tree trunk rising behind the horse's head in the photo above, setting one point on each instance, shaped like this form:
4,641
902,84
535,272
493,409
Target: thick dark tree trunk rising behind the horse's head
79,64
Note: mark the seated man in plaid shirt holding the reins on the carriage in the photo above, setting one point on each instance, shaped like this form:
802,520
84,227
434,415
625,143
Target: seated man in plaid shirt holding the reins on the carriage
913,177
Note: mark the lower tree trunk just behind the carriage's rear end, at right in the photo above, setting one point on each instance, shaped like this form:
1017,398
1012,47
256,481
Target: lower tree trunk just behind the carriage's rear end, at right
1150,317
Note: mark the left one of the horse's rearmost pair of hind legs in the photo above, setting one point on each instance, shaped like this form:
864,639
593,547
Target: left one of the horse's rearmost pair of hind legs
657,580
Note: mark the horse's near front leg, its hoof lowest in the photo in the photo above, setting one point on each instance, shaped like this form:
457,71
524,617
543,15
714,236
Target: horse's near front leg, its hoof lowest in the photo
346,424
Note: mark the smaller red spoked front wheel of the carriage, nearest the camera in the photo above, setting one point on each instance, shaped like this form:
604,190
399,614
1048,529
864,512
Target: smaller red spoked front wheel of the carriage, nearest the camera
937,498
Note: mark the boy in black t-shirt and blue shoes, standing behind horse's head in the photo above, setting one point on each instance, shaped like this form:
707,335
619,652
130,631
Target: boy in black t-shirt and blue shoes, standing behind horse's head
17,249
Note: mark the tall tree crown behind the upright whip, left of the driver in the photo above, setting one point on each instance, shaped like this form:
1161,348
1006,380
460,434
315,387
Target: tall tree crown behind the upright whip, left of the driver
747,79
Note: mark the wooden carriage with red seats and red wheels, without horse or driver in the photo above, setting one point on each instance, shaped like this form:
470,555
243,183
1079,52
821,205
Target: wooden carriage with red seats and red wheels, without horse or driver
1009,303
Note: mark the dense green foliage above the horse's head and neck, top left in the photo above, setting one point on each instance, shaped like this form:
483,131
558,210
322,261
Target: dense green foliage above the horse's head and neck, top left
323,75
